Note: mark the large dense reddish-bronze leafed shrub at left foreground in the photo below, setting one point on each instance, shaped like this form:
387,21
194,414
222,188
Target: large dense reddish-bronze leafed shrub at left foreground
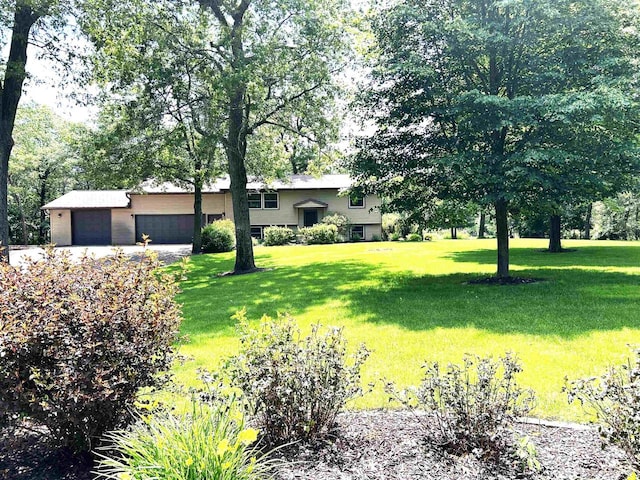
78,339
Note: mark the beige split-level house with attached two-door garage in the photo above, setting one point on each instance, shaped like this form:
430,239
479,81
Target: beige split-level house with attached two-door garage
165,212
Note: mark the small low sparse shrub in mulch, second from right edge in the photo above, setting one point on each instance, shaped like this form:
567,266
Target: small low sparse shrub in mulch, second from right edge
473,405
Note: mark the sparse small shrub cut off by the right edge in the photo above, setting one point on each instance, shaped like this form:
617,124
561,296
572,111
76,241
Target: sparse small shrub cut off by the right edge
614,398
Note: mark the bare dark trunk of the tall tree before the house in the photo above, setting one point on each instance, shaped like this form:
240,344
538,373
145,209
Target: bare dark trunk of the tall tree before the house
236,150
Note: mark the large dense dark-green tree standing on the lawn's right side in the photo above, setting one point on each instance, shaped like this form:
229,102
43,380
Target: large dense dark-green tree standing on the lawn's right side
479,99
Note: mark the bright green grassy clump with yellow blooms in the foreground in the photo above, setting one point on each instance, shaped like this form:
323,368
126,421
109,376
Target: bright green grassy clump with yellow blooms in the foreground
211,443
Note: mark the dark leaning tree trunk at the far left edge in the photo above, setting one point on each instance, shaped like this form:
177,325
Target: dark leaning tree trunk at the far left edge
10,93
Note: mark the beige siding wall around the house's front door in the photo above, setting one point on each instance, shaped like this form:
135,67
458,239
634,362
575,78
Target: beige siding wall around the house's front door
287,214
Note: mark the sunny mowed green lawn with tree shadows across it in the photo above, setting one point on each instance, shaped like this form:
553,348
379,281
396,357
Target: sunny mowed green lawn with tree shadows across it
411,303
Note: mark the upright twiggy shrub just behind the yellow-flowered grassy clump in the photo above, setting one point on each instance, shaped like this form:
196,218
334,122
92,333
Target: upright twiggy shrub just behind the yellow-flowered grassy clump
295,386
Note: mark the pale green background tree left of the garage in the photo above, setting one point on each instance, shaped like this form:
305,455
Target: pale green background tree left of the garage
41,168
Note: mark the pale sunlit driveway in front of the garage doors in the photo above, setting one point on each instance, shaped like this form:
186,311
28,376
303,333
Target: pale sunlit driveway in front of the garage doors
166,253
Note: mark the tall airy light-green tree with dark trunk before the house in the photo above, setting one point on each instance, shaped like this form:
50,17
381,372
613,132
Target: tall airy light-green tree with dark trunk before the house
256,67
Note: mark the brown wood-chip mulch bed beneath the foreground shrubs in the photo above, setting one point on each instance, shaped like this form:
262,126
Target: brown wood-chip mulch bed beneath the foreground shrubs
368,445
